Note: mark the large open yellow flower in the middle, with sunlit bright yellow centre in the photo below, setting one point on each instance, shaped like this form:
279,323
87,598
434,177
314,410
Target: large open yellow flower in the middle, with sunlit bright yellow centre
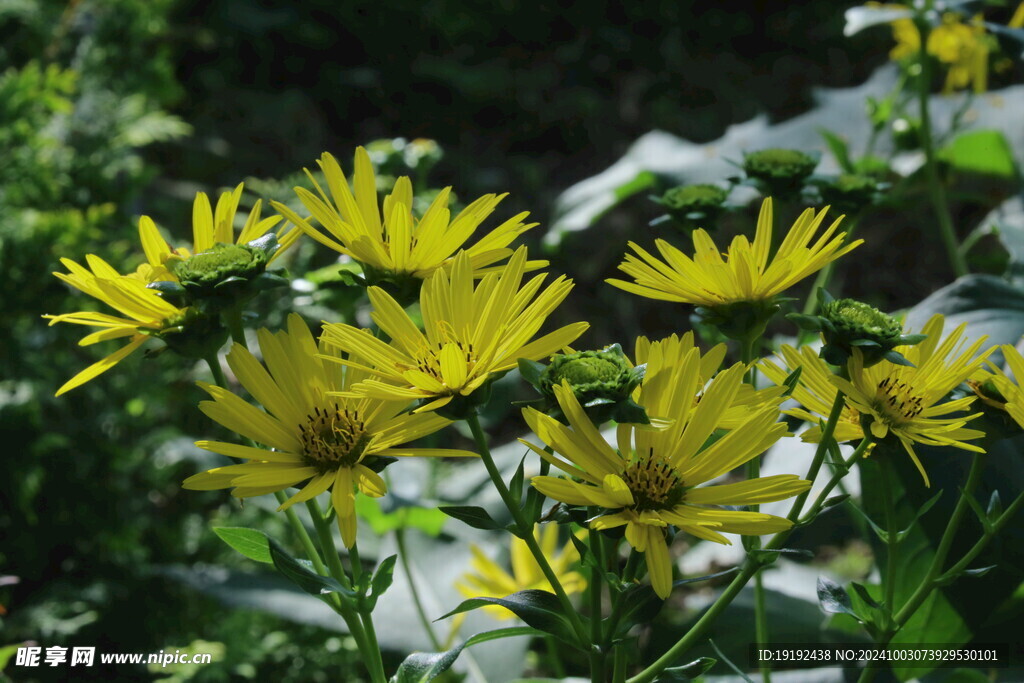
472,333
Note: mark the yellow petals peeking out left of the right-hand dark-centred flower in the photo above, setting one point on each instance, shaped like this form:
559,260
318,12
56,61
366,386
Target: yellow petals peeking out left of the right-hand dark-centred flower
815,392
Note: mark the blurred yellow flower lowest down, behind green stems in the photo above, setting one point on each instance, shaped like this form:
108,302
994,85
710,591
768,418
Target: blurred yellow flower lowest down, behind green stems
490,580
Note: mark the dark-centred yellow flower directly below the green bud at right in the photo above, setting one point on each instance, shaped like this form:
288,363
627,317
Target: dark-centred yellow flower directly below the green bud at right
908,402
